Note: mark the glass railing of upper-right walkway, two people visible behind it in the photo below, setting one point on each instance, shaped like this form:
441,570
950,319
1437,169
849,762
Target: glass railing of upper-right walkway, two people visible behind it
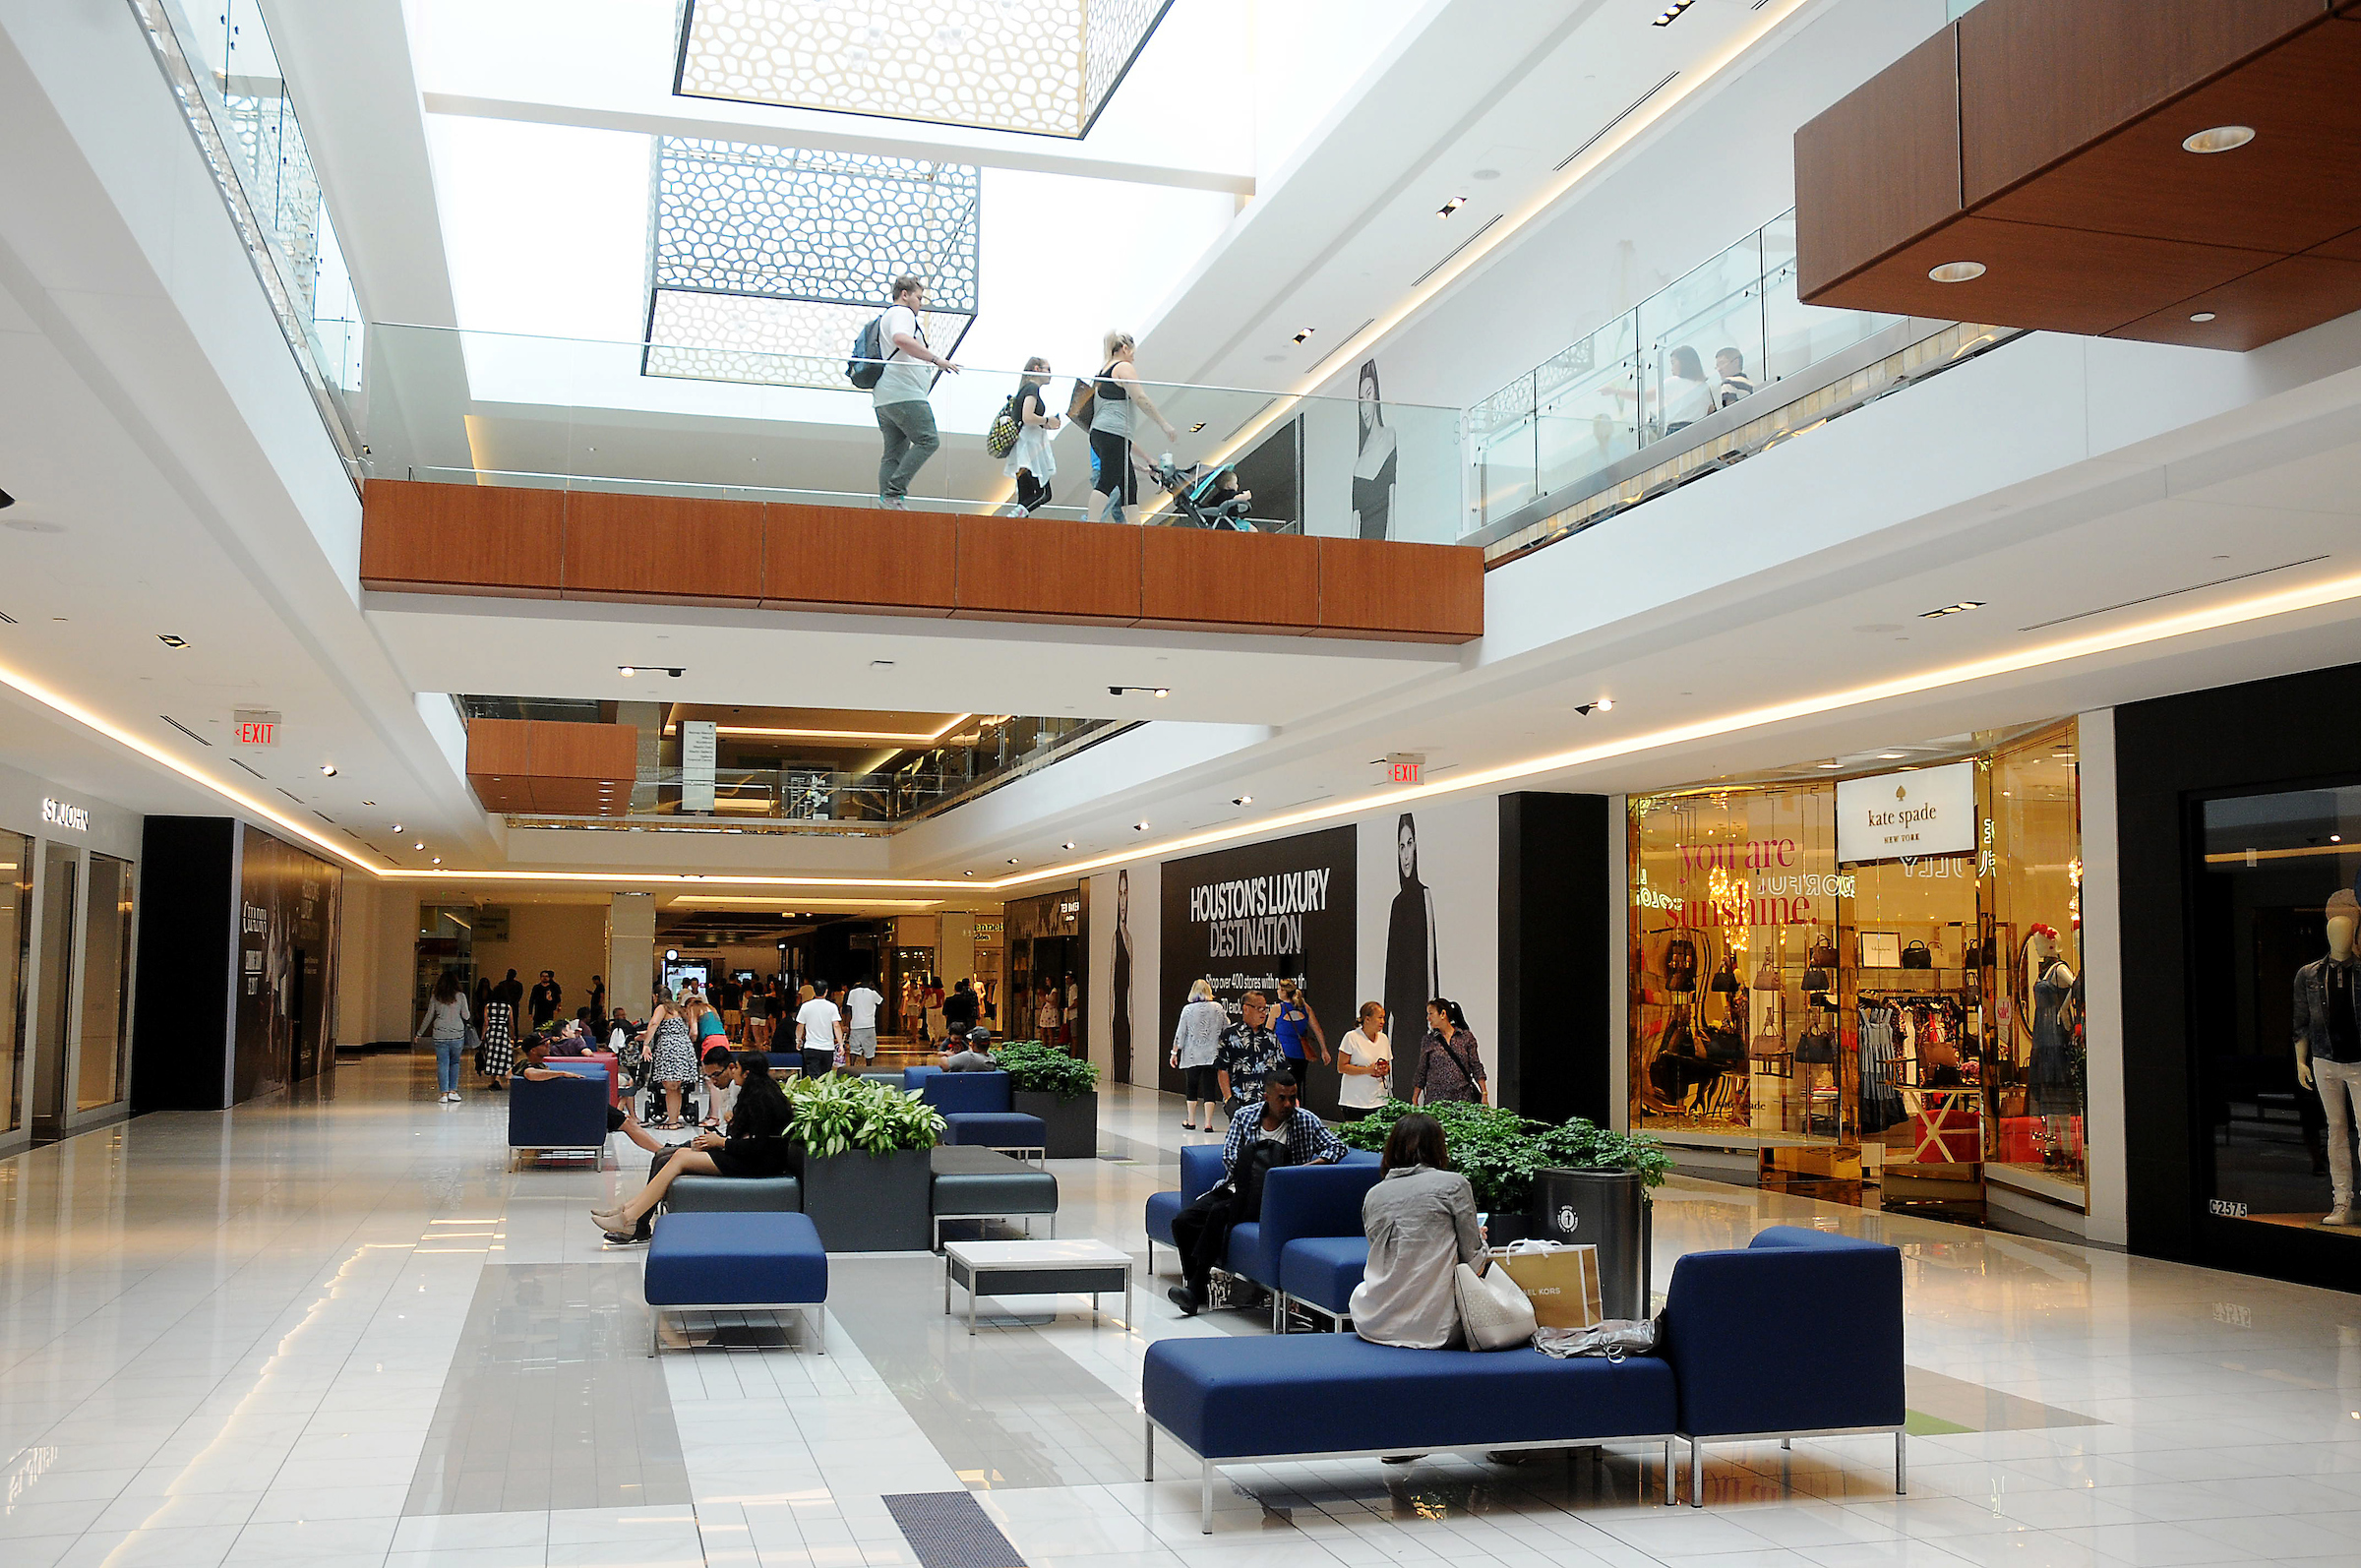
1703,344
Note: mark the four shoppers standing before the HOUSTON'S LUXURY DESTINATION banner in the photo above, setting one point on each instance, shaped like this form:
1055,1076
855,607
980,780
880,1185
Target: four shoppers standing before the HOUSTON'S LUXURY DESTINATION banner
1229,1064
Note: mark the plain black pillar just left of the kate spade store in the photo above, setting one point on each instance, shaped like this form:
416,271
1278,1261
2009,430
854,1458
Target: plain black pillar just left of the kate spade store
1557,899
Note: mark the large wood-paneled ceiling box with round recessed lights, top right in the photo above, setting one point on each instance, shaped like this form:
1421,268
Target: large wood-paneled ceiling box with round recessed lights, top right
2176,171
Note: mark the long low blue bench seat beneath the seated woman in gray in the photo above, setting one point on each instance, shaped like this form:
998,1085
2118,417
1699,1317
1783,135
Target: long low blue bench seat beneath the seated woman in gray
1338,1397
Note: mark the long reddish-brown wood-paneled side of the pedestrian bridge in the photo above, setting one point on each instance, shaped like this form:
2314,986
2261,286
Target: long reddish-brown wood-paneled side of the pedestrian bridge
596,547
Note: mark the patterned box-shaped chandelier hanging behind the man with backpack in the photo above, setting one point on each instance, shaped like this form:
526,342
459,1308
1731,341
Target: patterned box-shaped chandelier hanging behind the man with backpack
769,261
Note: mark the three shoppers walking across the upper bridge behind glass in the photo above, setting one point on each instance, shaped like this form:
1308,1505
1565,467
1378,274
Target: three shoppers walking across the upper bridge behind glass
1111,405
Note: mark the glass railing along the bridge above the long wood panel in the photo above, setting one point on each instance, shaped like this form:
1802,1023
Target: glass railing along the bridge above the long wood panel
632,417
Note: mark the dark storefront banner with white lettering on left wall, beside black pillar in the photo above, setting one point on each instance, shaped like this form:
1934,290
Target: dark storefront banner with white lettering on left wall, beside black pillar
287,965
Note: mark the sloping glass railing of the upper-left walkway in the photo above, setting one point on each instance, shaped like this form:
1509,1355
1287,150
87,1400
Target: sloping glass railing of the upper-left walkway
221,65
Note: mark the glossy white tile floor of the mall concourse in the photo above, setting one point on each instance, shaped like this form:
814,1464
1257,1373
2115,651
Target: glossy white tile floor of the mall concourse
223,1342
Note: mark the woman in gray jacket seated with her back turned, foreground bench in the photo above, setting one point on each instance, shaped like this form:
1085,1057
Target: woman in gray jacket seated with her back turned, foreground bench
1423,1227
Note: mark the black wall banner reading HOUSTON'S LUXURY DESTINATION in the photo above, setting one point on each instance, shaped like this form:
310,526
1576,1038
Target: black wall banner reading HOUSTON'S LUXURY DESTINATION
1253,917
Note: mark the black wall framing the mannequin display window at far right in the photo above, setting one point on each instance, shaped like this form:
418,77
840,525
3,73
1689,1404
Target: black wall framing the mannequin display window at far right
2171,757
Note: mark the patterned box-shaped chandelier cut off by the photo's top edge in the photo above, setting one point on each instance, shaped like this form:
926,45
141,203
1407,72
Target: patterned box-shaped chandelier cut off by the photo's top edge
1042,67
